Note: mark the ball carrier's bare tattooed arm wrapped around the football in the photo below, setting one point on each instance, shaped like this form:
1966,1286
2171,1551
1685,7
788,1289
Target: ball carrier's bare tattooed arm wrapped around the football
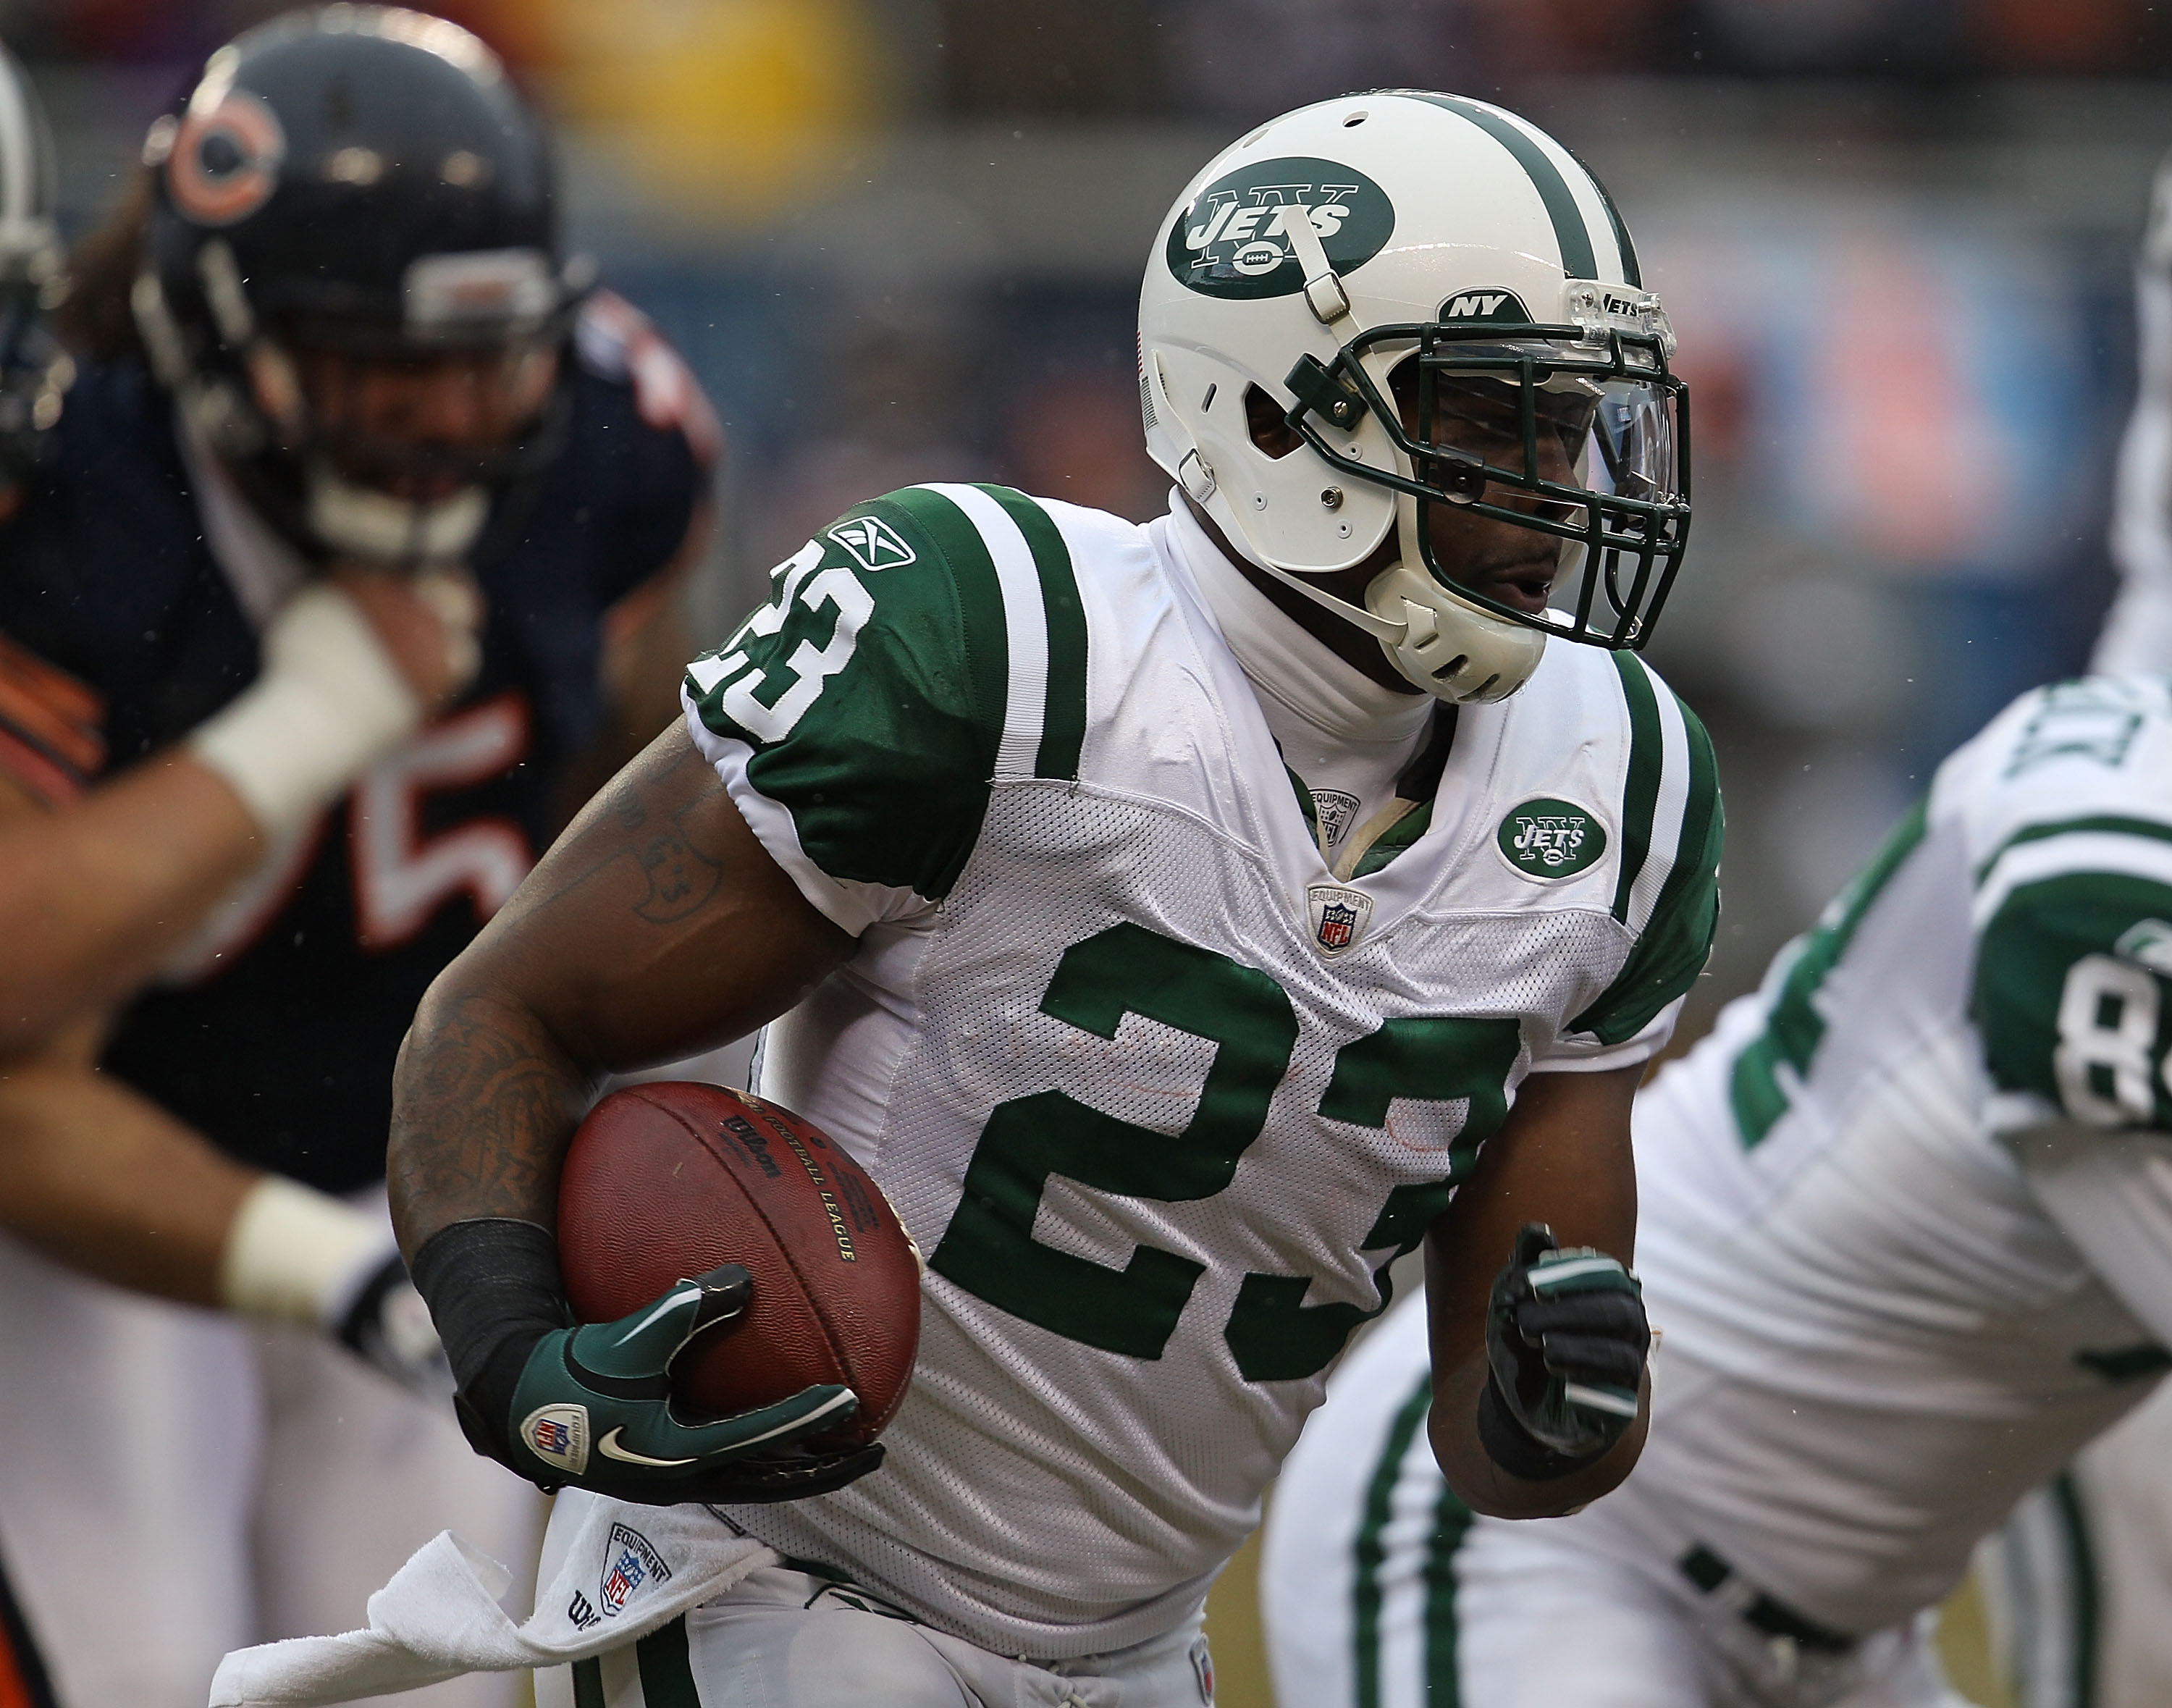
657,927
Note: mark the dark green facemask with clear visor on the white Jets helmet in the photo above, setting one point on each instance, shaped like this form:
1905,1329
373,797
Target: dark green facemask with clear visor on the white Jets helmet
1569,431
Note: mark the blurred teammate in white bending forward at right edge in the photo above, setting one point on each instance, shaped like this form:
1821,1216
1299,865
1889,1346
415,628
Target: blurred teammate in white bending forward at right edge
1906,1225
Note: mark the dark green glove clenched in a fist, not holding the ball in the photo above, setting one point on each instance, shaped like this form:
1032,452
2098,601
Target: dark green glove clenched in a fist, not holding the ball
1567,1342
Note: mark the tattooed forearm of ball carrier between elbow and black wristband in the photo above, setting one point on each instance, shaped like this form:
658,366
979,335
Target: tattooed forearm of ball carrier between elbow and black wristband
481,1118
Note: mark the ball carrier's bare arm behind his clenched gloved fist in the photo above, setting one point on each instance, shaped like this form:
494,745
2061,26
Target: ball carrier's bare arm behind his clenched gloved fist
1563,1157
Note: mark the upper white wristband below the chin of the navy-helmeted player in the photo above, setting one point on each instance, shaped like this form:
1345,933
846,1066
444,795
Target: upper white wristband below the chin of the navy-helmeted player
327,707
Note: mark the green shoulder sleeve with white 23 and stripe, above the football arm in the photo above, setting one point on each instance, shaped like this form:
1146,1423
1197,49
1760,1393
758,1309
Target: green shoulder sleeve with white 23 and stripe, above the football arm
918,649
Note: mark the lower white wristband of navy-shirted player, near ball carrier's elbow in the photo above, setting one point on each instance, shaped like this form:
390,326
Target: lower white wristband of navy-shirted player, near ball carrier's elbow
299,1257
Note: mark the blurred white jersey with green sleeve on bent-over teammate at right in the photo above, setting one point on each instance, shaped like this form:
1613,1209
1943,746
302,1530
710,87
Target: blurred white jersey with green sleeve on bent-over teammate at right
1886,1307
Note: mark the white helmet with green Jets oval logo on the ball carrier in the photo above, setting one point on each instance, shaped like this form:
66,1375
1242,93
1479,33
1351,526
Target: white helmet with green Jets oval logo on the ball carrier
1465,247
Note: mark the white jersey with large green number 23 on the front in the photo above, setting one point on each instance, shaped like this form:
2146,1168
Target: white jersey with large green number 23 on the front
1159,1096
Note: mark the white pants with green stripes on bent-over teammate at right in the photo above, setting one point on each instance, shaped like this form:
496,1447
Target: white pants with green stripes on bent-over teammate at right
1382,1592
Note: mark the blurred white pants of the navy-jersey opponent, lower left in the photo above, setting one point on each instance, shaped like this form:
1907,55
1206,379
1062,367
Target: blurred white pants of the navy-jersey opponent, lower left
177,1483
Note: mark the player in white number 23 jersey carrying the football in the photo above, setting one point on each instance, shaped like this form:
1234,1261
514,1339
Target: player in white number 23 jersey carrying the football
1165,918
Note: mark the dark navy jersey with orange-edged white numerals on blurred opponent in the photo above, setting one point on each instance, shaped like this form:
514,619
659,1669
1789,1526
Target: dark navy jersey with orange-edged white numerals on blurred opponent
118,627
